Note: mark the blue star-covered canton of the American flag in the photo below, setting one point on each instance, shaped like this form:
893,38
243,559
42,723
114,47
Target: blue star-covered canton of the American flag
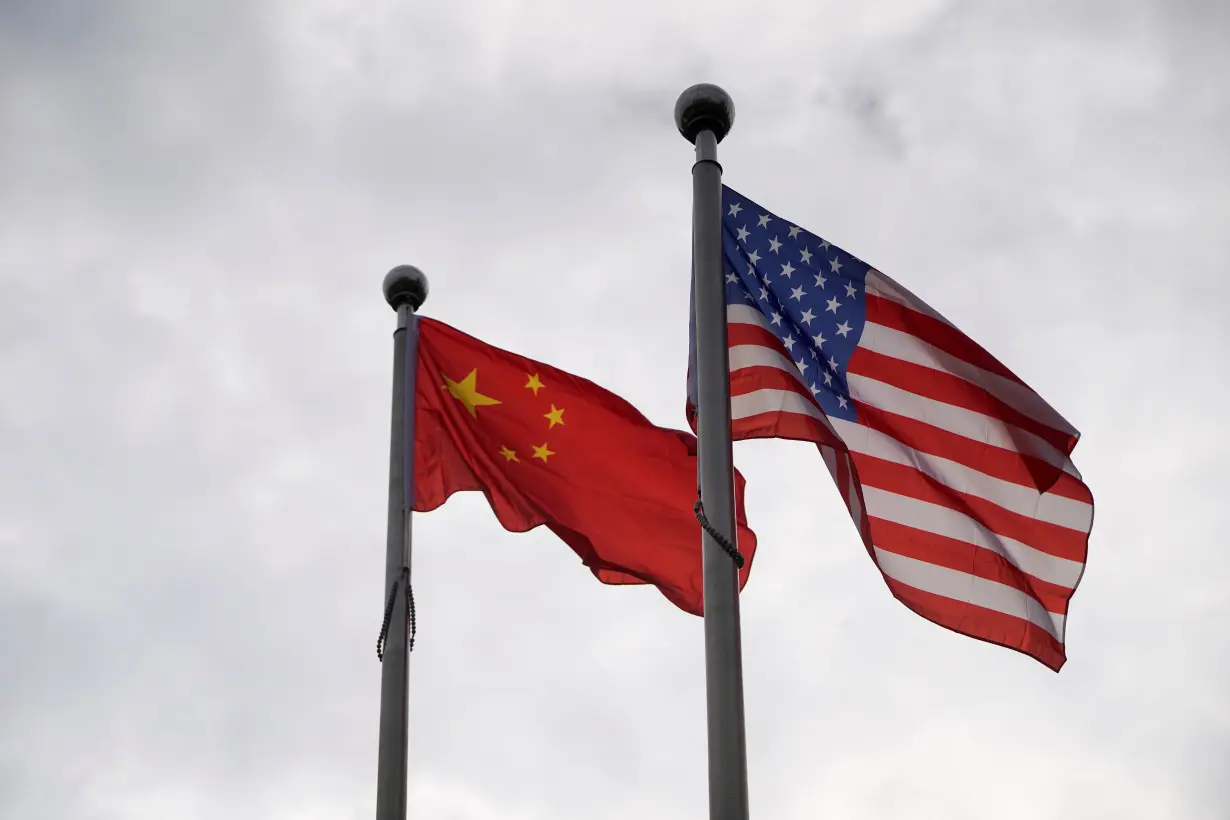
811,293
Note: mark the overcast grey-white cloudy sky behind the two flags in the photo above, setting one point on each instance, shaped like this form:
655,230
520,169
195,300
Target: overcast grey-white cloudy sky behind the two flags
197,206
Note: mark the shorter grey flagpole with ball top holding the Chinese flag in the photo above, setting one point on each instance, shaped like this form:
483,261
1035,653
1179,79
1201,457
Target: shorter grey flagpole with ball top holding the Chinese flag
405,290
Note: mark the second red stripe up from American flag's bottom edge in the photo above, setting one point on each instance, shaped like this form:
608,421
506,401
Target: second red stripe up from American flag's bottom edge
966,558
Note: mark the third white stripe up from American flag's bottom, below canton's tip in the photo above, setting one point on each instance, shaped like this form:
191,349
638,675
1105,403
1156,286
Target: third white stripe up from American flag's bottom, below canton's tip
1017,499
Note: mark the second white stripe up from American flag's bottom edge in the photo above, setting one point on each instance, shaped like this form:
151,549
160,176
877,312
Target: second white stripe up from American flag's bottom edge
951,524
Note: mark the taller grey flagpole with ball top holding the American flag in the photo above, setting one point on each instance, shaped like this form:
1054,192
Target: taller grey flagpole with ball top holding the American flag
704,115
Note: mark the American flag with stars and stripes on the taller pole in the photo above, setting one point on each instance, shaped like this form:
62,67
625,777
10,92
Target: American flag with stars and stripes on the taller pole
956,474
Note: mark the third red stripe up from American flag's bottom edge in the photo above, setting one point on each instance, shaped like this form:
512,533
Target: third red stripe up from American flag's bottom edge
905,480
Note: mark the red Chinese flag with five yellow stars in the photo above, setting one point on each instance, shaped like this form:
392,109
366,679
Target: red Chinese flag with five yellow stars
550,448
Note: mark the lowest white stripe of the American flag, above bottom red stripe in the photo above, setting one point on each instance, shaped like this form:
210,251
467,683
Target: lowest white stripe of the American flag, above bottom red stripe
970,589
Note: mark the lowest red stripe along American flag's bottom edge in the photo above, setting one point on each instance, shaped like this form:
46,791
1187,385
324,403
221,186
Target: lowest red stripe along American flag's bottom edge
987,625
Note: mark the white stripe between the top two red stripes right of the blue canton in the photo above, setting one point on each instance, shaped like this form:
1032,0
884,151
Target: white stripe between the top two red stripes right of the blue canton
899,345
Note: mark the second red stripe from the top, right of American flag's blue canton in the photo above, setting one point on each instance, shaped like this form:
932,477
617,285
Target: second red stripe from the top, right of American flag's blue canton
953,390
